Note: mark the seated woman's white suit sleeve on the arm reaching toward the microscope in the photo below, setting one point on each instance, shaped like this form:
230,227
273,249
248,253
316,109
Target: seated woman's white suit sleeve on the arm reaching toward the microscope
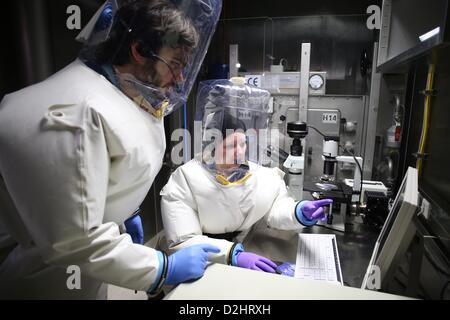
282,214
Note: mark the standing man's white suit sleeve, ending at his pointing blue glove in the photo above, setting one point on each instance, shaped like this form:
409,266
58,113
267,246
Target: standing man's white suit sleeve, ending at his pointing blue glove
60,191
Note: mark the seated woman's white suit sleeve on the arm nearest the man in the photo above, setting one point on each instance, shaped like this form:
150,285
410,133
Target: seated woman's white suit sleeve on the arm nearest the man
182,225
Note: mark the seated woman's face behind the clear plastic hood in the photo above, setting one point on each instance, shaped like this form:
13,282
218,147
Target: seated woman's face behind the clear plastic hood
230,153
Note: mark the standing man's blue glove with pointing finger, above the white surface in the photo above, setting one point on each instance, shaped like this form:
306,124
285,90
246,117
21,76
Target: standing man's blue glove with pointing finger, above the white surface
188,263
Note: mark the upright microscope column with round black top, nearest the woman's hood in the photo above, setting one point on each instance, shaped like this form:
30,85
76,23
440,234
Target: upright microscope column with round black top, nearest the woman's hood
295,162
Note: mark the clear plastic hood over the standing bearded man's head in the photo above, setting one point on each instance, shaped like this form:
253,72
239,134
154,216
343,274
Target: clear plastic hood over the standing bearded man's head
171,41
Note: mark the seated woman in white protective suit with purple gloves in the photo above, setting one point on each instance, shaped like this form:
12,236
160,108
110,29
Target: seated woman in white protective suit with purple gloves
219,195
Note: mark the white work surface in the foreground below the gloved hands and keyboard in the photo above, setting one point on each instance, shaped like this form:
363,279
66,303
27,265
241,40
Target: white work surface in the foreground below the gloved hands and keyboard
222,282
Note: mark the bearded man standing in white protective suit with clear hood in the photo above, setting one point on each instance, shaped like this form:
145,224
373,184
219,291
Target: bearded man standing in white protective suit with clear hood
80,151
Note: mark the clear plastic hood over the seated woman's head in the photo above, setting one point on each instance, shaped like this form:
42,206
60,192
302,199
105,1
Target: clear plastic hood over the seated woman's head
234,128
